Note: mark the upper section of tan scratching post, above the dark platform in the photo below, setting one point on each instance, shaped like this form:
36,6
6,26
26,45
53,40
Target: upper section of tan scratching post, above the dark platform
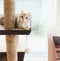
9,14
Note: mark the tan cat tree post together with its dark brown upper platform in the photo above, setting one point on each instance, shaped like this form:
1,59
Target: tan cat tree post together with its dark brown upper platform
10,31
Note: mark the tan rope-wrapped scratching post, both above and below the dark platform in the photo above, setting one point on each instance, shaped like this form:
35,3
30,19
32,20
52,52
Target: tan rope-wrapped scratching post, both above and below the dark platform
9,23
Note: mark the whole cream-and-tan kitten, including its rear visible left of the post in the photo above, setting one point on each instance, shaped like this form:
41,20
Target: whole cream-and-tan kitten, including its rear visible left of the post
22,21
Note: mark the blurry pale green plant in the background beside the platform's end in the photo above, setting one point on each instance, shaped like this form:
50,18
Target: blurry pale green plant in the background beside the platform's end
39,28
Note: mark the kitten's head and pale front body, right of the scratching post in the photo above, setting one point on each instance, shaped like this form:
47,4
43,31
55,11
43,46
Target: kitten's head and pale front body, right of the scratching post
24,20
